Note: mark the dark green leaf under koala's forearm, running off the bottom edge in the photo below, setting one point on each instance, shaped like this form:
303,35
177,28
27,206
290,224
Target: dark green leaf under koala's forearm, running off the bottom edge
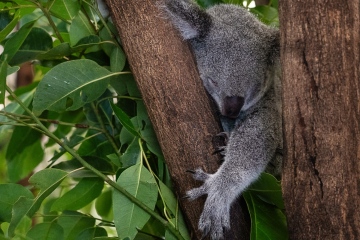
267,221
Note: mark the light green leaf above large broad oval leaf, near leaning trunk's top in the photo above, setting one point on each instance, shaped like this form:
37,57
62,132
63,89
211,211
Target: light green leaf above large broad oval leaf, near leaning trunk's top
80,28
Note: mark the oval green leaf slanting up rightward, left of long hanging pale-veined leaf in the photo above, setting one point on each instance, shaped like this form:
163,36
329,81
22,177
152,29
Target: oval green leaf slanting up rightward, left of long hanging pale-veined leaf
81,195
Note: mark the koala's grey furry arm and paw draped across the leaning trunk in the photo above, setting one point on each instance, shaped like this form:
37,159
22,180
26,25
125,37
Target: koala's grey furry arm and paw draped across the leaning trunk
251,146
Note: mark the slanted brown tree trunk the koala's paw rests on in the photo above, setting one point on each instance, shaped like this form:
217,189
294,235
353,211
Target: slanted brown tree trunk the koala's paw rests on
177,104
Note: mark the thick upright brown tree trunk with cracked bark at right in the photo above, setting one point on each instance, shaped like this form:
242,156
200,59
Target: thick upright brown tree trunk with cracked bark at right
321,107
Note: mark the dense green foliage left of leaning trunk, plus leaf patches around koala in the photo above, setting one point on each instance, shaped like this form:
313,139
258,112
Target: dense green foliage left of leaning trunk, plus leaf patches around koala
104,174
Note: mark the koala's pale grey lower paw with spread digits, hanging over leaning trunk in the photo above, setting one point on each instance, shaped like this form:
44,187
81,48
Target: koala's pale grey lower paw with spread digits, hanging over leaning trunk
216,215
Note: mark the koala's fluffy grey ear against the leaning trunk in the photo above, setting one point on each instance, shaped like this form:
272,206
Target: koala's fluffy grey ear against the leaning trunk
188,18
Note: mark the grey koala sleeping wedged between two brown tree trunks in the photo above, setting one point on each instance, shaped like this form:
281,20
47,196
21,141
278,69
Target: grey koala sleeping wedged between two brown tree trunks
237,58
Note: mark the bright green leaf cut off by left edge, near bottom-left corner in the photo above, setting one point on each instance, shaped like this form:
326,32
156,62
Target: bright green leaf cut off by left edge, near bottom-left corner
10,193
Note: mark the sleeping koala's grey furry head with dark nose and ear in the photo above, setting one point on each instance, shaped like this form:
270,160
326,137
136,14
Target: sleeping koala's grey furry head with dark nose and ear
234,51
